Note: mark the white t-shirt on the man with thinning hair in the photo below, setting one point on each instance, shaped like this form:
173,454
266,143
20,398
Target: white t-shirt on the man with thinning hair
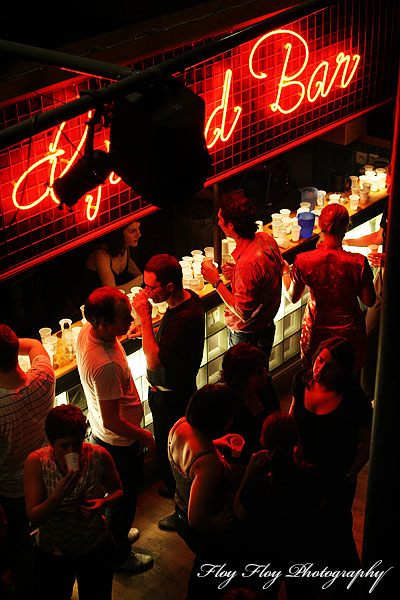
105,376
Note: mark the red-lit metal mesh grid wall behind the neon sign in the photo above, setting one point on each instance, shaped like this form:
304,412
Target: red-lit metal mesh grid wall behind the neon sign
242,127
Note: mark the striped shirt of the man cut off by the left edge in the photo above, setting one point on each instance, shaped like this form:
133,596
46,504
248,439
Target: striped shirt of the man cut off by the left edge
22,415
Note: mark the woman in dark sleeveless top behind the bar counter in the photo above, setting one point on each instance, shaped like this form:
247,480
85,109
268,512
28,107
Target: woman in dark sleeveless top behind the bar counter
111,264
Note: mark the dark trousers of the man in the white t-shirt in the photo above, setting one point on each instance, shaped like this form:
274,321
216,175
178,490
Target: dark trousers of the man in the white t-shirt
120,516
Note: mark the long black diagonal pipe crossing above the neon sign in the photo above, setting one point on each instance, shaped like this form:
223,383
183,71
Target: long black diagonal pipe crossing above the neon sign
43,121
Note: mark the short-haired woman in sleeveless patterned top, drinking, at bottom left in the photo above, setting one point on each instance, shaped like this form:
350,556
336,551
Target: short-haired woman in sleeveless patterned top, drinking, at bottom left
67,503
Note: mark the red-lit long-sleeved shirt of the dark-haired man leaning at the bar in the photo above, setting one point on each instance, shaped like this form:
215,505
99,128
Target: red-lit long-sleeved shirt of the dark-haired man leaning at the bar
256,284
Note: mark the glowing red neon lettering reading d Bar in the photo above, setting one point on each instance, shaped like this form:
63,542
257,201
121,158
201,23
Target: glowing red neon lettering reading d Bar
291,92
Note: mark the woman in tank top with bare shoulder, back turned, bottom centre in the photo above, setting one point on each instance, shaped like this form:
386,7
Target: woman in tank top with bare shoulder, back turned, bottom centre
203,482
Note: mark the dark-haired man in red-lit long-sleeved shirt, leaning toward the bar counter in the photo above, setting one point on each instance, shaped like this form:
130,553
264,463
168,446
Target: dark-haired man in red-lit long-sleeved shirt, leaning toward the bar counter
255,276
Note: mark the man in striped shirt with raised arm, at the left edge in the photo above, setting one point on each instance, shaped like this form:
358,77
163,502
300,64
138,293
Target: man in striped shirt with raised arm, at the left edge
25,401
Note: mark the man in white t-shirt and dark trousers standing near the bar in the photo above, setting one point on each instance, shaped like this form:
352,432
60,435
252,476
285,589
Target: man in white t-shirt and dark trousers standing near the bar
115,410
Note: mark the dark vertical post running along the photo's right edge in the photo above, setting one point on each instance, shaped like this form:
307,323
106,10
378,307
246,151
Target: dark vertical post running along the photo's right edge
382,511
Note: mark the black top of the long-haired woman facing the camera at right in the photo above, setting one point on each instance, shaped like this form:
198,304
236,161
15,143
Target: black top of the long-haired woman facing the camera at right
331,440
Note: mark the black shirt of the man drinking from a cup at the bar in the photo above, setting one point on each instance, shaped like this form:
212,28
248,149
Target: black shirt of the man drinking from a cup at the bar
180,338
